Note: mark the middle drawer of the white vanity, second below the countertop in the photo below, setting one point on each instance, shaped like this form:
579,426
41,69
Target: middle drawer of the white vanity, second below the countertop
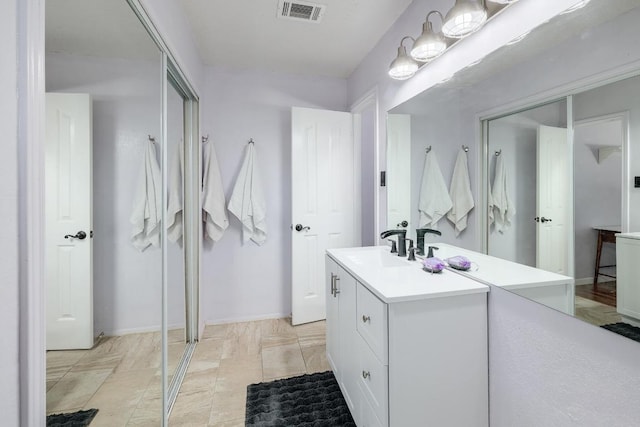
373,381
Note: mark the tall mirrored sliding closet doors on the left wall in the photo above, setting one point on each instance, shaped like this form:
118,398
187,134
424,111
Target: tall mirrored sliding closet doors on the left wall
119,290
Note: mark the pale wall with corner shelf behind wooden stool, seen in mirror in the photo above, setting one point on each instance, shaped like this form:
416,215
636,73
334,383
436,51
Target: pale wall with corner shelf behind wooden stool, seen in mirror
597,193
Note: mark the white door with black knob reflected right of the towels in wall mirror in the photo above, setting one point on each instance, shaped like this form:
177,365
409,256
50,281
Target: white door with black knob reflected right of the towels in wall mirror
553,202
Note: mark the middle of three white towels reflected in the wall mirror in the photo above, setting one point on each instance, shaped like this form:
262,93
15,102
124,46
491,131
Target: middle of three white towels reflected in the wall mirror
460,193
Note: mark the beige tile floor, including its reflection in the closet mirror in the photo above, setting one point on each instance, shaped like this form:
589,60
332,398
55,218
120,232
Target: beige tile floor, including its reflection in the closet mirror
121,377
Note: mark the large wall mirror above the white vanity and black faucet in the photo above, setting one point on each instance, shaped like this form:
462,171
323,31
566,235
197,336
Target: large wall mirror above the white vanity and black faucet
561,111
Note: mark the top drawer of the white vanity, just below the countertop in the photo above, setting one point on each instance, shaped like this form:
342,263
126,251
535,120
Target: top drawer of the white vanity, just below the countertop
371,318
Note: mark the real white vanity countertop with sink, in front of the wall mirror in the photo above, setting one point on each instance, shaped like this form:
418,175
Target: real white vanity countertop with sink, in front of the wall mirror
394,279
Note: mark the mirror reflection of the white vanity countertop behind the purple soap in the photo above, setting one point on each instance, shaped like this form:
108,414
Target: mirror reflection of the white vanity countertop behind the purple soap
500,272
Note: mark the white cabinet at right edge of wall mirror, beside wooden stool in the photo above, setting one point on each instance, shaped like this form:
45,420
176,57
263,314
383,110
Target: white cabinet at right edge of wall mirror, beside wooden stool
628,288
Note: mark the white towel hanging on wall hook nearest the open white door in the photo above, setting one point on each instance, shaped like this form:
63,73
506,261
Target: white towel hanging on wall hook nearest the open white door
247,200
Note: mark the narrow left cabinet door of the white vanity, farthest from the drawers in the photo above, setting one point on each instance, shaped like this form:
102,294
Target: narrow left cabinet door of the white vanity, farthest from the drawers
333,318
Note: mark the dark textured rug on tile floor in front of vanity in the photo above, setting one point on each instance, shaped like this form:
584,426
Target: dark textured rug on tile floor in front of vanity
306,401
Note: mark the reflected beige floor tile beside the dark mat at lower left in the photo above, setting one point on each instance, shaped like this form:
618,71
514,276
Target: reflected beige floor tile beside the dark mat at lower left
74,390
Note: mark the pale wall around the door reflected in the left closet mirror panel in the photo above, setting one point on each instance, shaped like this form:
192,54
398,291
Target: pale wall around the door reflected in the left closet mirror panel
126,108
